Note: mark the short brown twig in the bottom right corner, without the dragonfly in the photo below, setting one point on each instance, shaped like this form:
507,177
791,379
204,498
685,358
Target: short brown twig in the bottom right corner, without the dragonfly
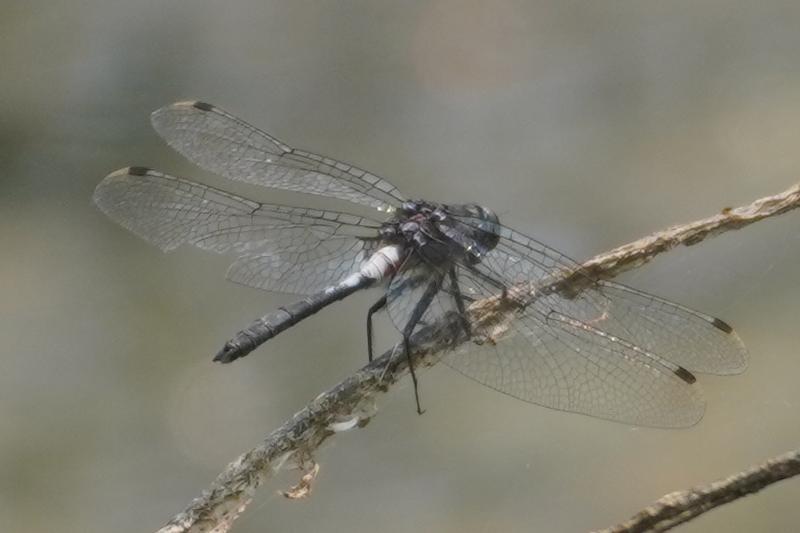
679,507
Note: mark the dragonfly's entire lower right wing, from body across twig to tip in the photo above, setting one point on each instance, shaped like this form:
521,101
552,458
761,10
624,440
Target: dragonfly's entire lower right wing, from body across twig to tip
547,358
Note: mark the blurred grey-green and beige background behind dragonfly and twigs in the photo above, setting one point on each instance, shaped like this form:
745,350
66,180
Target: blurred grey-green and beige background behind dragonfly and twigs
586,124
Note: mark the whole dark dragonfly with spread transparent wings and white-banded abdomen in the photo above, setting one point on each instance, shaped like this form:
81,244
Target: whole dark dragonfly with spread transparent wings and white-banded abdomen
599,348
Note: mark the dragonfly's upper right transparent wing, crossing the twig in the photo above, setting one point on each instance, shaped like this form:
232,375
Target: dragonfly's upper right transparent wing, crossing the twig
692,339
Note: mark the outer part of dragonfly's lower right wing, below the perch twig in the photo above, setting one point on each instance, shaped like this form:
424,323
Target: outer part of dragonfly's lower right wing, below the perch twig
558,362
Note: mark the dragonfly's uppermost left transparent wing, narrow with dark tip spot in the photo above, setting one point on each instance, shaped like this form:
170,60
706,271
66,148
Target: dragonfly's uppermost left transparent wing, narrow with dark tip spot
217,141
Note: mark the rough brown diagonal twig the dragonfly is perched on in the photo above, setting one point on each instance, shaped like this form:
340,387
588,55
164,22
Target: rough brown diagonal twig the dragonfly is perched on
351,402
